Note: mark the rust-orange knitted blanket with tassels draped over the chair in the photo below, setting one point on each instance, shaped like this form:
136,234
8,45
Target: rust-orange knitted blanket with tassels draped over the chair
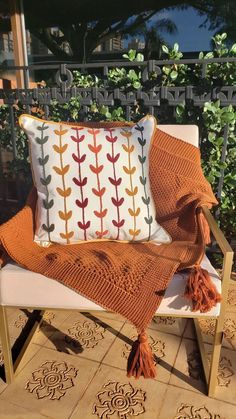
129,278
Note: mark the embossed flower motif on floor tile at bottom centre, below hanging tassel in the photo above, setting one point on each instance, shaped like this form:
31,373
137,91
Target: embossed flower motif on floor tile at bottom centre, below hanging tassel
121,400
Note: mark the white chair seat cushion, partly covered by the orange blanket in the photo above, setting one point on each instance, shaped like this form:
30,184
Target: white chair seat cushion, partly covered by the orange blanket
22,288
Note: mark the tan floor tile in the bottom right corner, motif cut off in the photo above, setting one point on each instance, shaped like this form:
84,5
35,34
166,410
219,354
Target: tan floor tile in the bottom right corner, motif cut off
183,404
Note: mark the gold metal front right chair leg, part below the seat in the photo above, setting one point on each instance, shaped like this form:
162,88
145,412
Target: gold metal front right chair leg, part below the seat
215,358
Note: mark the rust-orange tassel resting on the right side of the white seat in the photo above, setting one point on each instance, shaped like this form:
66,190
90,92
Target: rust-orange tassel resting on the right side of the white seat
201,290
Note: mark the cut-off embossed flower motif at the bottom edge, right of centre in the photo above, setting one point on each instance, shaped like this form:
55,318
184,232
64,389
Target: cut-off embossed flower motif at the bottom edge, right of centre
186,411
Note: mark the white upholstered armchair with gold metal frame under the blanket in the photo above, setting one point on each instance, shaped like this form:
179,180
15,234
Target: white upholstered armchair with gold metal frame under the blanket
24,289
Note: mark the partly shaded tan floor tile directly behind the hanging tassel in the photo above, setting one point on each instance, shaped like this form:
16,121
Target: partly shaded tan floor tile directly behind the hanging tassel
164,347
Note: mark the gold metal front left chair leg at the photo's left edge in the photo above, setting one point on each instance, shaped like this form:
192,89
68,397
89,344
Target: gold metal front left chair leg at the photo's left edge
6,346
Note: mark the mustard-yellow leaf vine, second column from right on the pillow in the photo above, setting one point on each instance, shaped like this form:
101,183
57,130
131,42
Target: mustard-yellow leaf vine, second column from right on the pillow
132,191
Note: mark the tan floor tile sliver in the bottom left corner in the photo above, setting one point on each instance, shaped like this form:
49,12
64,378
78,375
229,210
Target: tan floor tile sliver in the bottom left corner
9,411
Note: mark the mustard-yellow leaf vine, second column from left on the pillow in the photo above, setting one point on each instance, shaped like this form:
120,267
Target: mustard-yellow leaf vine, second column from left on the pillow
64,192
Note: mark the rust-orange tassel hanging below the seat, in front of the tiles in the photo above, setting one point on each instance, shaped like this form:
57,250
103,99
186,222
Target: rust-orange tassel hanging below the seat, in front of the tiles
140,361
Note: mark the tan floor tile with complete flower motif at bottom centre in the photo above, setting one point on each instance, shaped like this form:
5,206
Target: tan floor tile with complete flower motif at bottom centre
112,392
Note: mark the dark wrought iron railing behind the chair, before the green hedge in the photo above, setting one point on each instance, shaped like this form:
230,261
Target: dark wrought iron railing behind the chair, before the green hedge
153,98
